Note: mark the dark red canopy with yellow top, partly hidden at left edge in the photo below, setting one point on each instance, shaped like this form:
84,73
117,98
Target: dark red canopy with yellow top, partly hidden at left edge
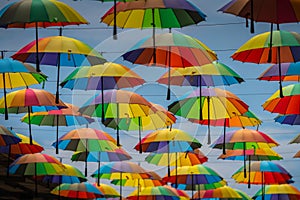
22,147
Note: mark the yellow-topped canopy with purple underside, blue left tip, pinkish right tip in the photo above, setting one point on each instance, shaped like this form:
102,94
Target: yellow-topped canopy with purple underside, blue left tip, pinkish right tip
102,77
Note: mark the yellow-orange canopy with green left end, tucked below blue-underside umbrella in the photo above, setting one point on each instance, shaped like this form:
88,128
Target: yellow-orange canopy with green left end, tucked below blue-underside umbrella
177,159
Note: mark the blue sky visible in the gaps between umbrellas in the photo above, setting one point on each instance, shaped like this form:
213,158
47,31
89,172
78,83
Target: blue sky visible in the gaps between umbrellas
223,33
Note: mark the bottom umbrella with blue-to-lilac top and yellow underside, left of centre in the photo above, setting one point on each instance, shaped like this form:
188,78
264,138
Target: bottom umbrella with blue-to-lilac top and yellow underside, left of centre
121,170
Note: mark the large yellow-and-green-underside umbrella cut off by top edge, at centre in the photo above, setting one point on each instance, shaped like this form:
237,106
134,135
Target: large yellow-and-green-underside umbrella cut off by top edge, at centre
152,14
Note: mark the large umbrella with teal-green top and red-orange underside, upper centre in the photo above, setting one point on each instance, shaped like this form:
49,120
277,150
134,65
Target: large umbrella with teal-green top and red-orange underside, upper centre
171,50
